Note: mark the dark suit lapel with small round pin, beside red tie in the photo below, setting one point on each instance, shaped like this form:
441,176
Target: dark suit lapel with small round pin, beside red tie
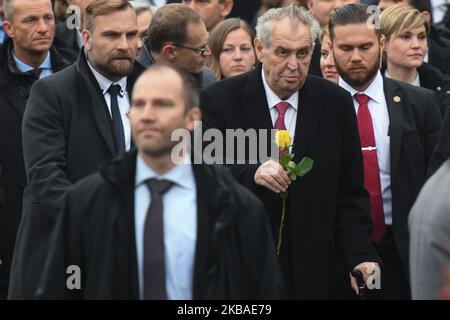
394,100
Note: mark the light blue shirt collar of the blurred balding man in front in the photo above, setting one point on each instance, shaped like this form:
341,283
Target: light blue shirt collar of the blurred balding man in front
182,174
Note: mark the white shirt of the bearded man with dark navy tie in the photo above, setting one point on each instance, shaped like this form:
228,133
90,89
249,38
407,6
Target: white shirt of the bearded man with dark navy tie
123,99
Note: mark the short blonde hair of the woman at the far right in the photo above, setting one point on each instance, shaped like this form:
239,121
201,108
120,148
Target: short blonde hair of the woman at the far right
400,18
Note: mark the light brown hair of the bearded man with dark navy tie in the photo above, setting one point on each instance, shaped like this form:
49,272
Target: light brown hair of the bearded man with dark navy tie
101,8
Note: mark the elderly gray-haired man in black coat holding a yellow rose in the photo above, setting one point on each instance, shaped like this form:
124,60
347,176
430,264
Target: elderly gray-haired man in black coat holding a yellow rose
328,209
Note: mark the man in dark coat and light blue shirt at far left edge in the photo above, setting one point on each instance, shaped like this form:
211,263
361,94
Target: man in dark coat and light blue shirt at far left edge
19,56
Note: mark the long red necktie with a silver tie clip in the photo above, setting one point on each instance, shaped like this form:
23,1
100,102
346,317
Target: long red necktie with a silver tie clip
371,170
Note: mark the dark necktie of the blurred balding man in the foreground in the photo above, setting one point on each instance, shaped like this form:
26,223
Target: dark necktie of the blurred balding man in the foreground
154,266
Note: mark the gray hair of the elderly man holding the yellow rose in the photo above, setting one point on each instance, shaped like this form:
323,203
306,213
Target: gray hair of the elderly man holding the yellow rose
297,15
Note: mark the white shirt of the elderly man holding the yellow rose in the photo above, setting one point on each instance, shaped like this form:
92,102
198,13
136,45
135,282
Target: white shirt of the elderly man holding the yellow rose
290,117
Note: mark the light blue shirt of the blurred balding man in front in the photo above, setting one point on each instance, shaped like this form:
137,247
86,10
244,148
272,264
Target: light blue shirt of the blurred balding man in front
179,224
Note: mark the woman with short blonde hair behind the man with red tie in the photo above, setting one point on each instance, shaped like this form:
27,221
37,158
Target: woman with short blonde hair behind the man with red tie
406,33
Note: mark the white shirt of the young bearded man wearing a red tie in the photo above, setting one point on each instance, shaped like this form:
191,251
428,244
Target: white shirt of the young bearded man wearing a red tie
380,121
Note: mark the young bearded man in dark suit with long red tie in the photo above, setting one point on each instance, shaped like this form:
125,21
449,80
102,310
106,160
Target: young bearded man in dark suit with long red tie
398,127
